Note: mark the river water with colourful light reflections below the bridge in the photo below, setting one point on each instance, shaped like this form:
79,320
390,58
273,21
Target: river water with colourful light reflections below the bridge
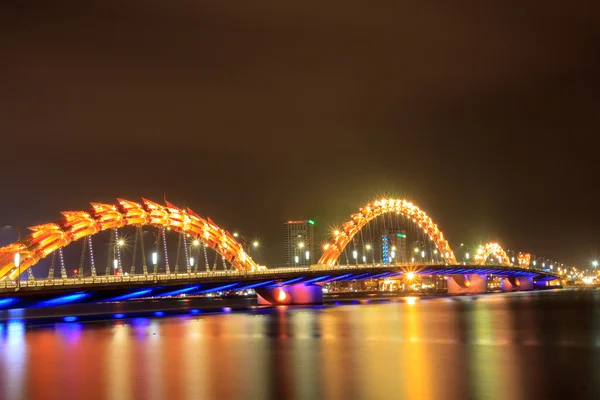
499,346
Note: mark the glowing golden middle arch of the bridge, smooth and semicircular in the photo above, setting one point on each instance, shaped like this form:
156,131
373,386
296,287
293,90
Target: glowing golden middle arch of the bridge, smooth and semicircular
373,210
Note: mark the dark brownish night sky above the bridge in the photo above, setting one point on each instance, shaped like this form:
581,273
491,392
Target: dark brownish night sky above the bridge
253,113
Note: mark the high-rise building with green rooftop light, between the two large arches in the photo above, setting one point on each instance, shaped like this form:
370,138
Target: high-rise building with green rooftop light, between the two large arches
298,243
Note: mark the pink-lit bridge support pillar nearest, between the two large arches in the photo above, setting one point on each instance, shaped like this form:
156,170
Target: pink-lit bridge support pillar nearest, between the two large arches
292,294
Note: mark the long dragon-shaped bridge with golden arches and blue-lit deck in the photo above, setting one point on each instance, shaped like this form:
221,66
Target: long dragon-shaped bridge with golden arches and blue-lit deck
134,227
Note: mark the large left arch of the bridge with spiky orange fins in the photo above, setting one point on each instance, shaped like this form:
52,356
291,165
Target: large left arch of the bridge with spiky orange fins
51,238
